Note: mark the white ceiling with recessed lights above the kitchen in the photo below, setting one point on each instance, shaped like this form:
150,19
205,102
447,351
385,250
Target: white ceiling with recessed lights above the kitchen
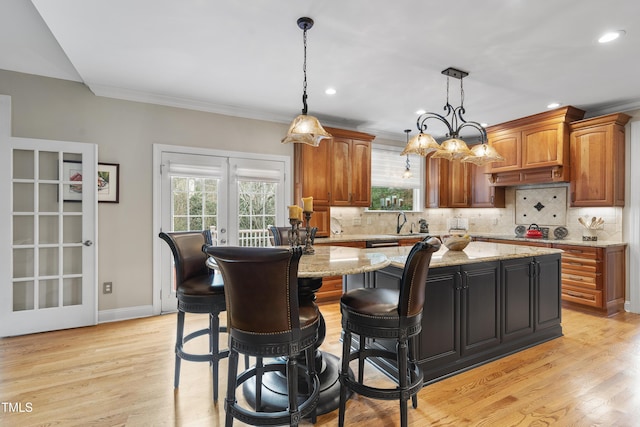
383,57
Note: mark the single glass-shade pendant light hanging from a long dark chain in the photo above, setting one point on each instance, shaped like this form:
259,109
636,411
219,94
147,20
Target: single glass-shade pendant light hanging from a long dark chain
304,128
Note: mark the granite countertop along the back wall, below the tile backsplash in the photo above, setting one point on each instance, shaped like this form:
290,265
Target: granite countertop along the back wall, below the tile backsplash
341,238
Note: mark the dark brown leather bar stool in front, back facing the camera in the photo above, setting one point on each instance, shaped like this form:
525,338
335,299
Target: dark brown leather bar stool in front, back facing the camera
265,320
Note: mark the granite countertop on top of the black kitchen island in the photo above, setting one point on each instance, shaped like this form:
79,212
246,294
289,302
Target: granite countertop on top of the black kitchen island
475,252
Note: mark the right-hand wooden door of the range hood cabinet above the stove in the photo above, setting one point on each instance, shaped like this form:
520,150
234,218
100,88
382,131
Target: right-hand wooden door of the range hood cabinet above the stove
544,146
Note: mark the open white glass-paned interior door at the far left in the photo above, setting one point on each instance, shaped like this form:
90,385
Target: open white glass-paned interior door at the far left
49,248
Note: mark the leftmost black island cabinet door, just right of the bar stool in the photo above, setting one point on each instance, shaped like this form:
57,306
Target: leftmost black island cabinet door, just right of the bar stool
439,342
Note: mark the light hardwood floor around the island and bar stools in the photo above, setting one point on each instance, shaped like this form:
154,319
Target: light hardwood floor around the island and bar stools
121,374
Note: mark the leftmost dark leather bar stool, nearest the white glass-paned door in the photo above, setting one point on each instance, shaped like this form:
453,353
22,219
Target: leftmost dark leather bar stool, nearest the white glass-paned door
196,293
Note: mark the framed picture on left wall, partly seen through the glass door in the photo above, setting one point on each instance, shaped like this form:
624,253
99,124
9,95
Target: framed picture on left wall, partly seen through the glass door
108,182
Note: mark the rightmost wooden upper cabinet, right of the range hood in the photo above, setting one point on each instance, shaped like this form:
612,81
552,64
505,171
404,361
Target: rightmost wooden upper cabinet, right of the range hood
597,161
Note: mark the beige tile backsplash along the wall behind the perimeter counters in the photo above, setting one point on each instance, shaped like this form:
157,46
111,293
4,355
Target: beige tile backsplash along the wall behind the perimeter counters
488,221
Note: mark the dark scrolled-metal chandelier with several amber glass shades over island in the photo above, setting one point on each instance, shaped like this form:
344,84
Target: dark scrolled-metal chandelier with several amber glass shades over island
453,148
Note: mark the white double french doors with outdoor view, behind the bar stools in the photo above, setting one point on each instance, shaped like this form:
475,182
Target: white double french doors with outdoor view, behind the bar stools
234,195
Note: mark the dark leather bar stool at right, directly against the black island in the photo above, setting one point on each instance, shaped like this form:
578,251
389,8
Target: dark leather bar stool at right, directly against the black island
389,314
